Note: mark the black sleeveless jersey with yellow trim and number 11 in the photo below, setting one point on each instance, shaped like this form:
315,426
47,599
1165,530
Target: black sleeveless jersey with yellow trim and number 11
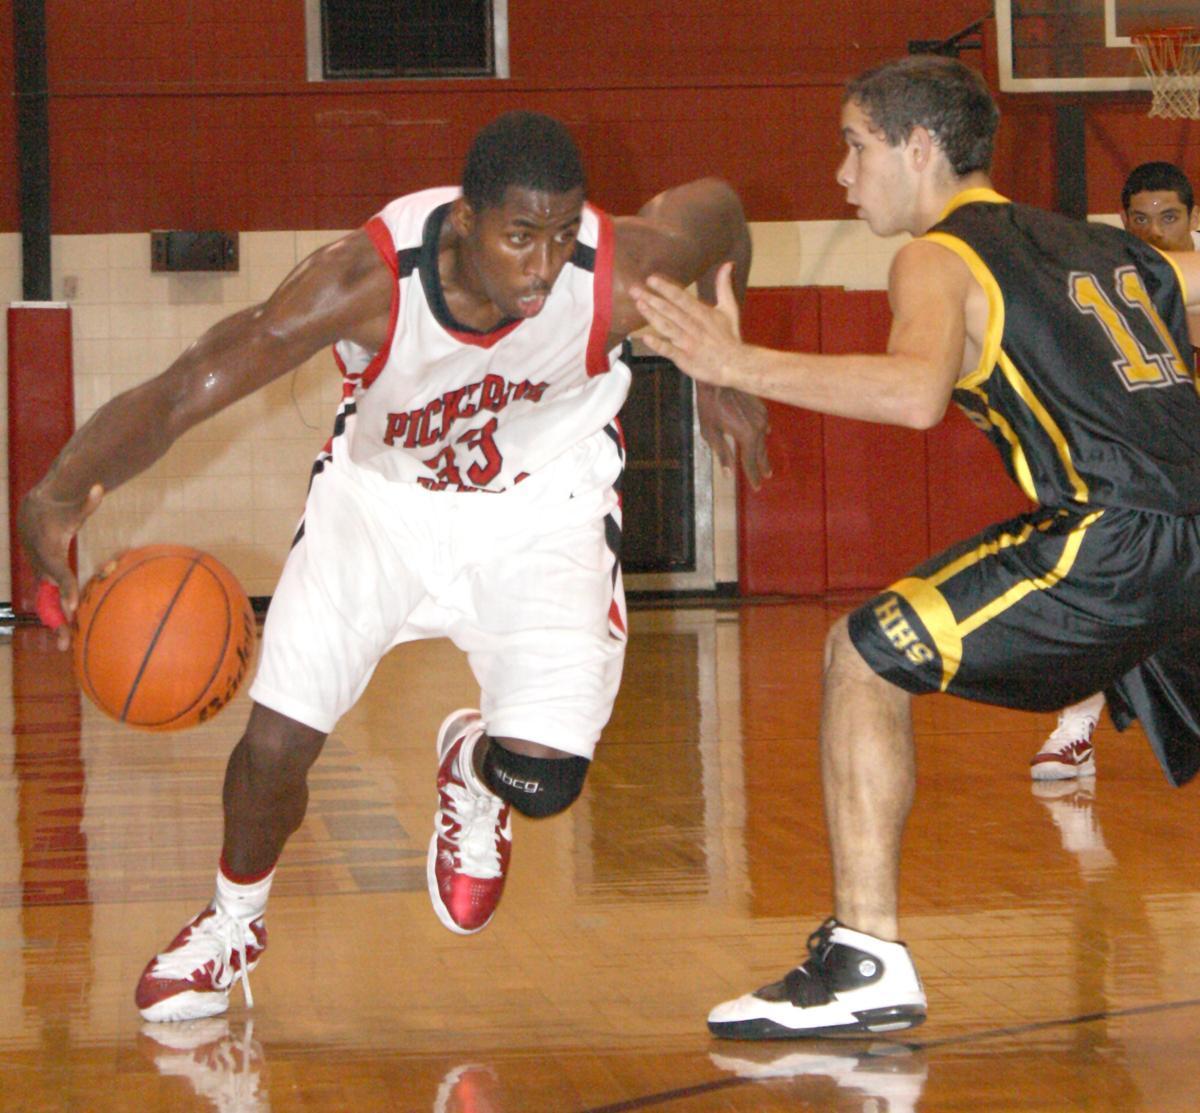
1087,382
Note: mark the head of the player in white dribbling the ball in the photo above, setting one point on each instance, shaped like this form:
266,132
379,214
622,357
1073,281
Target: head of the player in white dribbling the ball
519,216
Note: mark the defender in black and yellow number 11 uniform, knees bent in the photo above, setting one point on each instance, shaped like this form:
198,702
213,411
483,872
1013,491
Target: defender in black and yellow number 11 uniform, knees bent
1067,345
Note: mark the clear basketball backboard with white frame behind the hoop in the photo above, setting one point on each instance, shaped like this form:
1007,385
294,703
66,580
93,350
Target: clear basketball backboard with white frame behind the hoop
1079,46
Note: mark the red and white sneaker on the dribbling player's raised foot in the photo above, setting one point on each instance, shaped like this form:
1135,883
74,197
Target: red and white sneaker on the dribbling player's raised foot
473,833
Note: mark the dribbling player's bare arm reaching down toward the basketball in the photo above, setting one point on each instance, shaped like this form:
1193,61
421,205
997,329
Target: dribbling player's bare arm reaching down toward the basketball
343,291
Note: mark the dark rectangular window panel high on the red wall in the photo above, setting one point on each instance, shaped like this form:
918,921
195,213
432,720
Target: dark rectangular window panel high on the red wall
407,39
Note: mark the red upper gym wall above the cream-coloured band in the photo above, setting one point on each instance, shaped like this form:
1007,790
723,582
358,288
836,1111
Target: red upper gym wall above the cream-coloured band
199,115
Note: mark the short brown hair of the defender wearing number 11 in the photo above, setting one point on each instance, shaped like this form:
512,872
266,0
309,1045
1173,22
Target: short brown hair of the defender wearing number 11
937,93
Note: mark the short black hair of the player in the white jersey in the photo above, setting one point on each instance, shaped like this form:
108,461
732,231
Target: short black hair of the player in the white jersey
524,149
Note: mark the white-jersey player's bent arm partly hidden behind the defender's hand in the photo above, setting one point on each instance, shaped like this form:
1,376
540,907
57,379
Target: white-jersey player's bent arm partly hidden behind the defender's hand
689,233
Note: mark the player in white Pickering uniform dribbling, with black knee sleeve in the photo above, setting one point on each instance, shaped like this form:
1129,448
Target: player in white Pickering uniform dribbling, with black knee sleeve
469,491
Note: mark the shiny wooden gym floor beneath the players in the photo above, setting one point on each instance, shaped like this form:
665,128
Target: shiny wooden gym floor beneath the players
1057,931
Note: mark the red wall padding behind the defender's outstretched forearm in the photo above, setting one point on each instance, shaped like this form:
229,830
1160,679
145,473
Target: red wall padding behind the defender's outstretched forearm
853,507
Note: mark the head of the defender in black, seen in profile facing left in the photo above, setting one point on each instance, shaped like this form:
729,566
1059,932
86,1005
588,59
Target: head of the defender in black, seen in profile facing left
925,117
